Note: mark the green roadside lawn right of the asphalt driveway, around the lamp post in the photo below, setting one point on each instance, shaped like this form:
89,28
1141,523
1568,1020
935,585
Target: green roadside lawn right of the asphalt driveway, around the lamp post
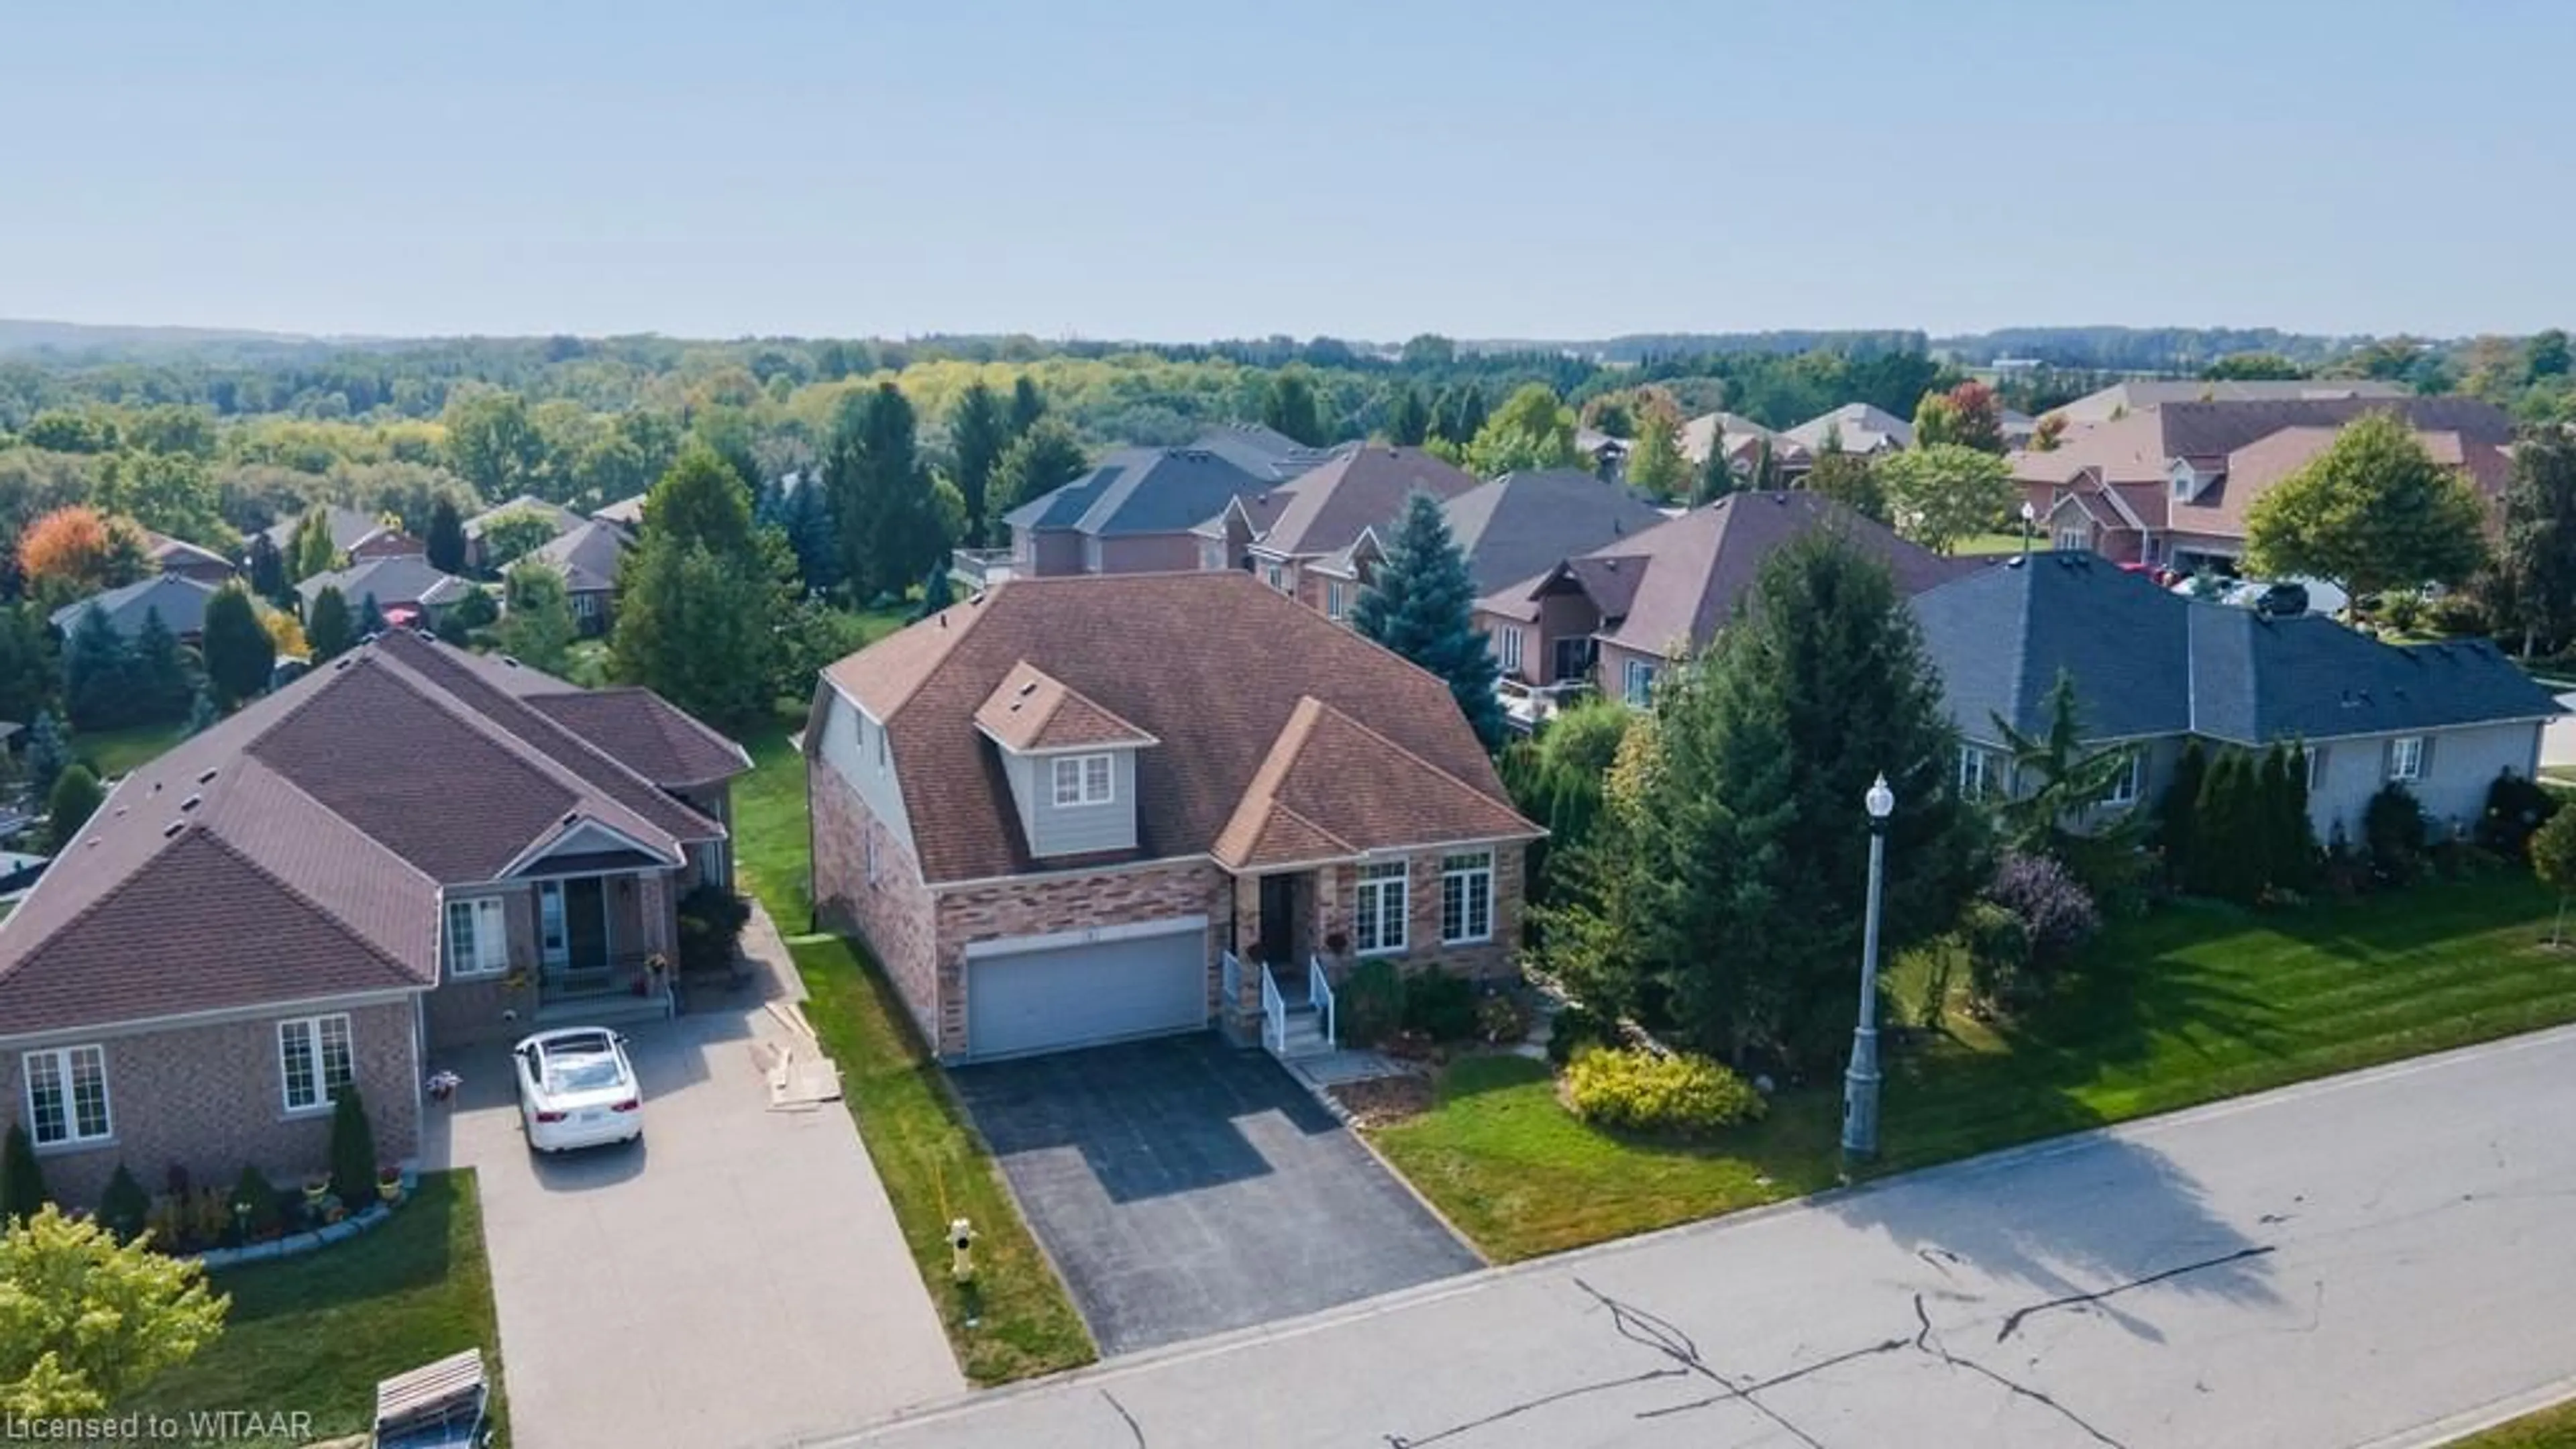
2183,1007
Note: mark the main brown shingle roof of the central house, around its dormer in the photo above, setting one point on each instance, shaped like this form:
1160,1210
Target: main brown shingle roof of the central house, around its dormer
1209,664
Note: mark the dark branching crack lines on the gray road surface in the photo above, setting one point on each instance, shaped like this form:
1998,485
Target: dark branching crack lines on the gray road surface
1663,1337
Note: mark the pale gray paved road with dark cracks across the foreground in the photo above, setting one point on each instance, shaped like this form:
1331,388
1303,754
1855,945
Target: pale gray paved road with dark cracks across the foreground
2330,1267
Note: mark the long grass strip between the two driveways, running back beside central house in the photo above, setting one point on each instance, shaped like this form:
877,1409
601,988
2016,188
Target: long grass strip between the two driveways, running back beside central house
929,1156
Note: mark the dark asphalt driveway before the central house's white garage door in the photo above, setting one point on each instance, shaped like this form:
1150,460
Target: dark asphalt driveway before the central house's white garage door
1186,1187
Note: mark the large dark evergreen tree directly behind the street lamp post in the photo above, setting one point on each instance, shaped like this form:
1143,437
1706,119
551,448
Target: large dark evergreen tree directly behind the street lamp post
1753,850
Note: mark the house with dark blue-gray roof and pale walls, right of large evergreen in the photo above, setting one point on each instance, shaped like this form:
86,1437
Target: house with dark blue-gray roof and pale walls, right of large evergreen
2155,672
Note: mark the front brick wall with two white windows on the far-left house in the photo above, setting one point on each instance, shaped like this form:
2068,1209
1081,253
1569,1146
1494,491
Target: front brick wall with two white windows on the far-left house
210,1100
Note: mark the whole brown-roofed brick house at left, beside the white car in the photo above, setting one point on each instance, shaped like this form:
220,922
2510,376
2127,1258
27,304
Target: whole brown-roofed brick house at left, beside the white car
403,852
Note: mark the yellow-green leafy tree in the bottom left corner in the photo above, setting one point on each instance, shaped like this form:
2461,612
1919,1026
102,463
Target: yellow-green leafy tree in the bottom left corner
86,1319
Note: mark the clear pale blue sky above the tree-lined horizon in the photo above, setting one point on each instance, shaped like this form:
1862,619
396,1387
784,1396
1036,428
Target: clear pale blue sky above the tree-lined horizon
1367,169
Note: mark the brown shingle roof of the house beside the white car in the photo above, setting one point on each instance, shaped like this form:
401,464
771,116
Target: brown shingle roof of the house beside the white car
298,850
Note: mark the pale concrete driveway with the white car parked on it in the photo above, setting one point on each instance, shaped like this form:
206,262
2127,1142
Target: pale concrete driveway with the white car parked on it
733,1280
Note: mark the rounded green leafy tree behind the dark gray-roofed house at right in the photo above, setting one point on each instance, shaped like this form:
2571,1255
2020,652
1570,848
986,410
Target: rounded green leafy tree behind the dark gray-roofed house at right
2374,512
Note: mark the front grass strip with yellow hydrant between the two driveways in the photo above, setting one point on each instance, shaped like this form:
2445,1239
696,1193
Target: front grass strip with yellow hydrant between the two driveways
936,1169
